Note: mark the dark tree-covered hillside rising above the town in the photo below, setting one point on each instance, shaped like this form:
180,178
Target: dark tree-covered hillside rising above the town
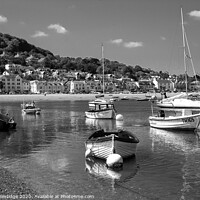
19,51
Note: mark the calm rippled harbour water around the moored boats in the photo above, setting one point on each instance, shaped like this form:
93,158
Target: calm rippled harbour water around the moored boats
47,152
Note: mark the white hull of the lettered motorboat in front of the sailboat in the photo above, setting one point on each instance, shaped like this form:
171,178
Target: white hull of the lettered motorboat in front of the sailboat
189,122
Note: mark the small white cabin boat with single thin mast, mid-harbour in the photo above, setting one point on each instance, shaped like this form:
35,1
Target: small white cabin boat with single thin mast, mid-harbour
101,108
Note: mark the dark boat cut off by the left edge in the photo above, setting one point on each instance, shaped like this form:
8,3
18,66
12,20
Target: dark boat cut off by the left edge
6,122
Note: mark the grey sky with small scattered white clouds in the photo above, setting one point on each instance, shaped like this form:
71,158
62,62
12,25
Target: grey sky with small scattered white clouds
134,32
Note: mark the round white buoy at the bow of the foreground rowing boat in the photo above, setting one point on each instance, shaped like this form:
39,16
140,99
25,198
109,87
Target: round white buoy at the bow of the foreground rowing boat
114,161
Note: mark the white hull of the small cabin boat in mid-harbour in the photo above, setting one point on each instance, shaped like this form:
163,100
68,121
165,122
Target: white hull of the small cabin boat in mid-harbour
101,114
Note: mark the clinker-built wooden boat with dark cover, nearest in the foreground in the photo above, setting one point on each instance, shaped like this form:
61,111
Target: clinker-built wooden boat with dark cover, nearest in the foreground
101,144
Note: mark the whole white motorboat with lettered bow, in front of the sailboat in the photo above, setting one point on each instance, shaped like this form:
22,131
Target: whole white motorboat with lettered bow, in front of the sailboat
175,119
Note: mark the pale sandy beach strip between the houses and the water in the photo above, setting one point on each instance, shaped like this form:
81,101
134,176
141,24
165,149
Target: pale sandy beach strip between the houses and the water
70,97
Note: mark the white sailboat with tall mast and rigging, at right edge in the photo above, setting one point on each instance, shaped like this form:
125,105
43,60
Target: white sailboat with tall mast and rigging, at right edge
183,100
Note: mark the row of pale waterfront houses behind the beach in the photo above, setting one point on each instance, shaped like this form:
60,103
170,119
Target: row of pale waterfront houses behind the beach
15,84
